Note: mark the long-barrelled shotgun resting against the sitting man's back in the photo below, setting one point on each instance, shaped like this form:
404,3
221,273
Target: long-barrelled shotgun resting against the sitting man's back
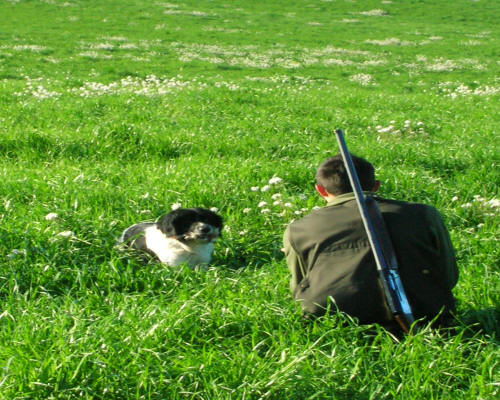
380,243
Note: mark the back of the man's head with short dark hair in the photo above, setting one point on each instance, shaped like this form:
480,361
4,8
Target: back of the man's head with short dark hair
332,175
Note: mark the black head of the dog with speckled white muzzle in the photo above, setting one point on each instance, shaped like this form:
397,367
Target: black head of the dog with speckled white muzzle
187,224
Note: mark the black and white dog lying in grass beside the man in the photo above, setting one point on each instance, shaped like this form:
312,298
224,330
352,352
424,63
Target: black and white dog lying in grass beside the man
183,236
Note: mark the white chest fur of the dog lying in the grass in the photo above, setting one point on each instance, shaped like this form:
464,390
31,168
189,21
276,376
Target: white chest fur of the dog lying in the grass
172,252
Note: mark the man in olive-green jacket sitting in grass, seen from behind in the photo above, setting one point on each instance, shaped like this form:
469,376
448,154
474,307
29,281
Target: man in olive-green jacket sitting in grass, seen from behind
332,265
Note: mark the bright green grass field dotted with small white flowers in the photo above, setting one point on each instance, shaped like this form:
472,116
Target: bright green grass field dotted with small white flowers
113,112
